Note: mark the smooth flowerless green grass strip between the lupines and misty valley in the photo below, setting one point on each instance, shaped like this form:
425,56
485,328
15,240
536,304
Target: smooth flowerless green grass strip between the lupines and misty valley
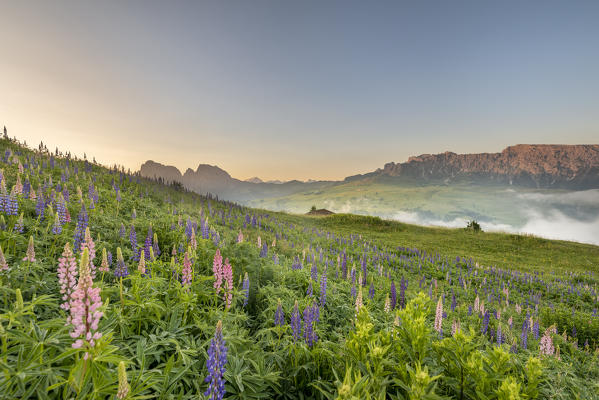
522,252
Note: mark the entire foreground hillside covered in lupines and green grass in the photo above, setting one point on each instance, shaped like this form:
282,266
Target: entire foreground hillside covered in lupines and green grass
114,286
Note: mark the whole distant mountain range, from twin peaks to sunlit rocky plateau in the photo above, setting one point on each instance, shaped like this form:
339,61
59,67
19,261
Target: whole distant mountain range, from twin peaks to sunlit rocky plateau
573,167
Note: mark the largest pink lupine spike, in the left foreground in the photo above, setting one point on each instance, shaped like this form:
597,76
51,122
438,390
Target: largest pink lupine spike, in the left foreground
85,313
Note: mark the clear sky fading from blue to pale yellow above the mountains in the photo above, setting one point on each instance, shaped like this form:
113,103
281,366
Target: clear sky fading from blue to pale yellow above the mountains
297,90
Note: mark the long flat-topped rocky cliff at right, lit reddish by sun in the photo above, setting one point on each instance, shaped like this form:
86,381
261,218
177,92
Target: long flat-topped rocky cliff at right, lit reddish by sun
543,166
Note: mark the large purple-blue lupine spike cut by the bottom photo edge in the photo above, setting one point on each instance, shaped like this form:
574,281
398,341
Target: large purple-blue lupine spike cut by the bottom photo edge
217,359
